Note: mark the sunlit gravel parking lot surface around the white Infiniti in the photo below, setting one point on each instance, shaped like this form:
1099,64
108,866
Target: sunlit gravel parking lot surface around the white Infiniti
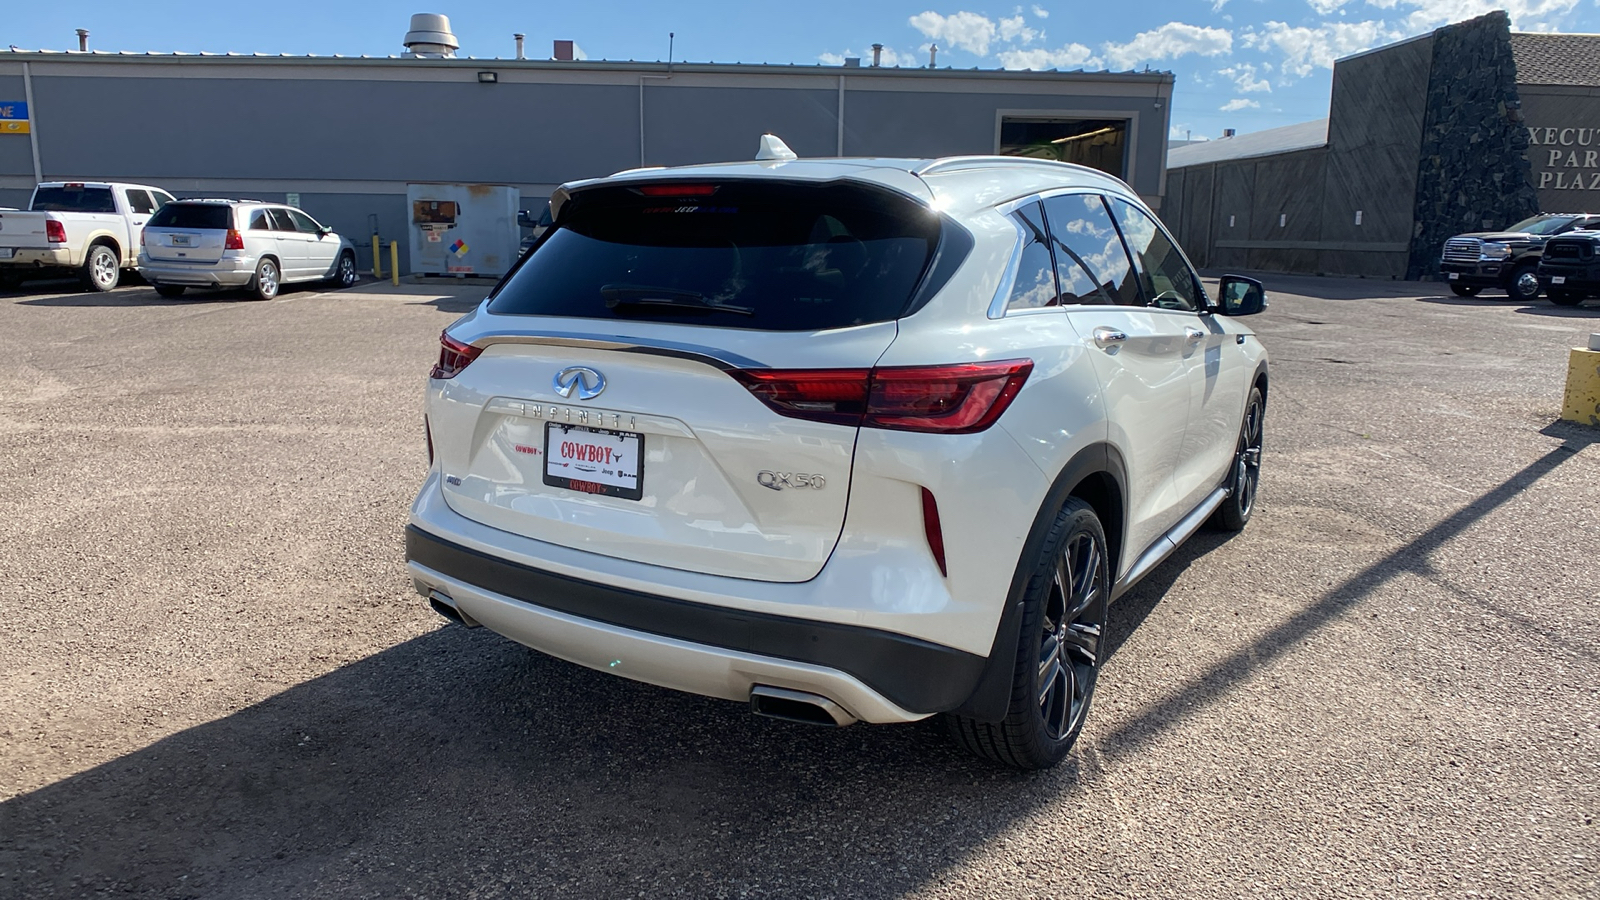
218,683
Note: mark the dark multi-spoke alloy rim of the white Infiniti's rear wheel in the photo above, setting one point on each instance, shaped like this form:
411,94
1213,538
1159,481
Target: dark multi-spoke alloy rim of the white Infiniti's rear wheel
1070,649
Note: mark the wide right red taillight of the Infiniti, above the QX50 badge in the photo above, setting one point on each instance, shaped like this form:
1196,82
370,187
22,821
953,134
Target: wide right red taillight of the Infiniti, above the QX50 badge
948,400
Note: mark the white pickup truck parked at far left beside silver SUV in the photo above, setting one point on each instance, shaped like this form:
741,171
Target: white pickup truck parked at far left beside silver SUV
84,228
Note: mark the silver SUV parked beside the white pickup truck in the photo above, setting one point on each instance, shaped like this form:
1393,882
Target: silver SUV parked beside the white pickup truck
228,244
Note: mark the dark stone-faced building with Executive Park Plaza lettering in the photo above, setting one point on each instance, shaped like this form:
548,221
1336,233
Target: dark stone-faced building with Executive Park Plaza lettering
1466,129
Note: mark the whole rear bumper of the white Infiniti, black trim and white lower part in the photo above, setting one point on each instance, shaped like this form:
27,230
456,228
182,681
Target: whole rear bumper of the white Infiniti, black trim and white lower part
716,651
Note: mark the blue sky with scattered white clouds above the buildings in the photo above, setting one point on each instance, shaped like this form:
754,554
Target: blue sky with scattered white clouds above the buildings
1246,65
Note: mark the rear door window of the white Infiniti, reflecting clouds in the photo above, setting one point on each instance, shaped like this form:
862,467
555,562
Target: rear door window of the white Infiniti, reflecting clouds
1090,259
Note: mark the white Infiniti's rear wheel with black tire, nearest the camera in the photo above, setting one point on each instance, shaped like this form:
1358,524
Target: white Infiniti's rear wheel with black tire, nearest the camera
1060,649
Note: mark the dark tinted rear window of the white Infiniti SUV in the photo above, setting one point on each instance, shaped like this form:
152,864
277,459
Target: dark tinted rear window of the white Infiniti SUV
754,255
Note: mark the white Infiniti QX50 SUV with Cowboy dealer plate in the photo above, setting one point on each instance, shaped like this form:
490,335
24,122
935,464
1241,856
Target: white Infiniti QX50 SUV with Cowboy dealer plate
844,440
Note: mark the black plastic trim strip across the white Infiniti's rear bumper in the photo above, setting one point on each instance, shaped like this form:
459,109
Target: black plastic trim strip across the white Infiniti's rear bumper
914,675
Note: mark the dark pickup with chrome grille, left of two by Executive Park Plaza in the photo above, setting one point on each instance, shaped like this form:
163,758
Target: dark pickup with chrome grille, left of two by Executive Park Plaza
1508,260
